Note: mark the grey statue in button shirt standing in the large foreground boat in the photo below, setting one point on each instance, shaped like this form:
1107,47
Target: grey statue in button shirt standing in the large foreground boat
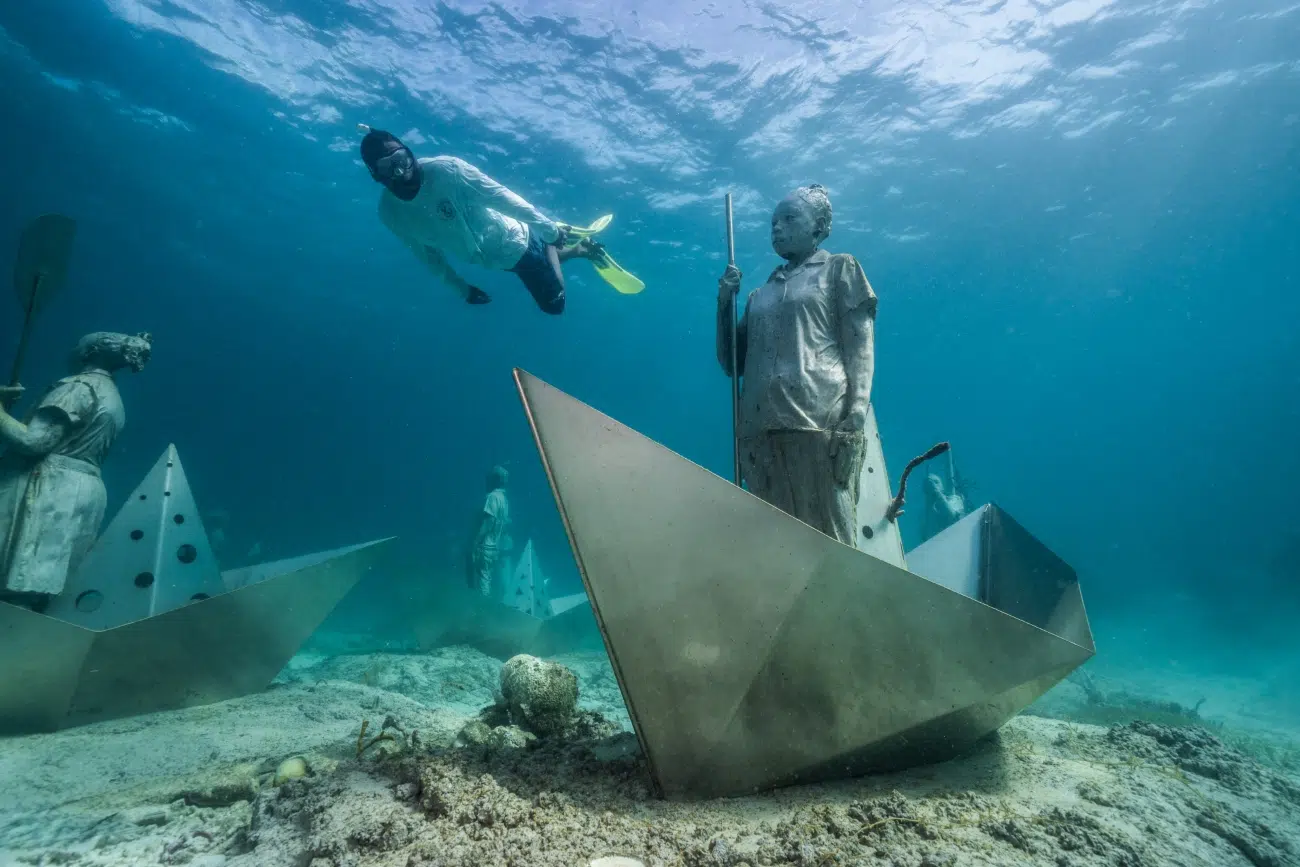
805,352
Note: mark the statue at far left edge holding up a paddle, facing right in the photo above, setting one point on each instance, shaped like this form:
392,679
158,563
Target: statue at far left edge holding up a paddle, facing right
53,500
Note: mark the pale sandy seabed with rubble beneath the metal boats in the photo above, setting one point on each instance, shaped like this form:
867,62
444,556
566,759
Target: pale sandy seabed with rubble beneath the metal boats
197,788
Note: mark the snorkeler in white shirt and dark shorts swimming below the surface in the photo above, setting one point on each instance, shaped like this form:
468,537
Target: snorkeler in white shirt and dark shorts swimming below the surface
444,207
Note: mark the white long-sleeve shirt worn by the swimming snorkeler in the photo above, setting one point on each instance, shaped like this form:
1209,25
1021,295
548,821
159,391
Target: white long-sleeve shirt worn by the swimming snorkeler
463,214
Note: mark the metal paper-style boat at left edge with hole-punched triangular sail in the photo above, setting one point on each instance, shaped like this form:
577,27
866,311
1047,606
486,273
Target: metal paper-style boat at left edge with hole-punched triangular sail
149,623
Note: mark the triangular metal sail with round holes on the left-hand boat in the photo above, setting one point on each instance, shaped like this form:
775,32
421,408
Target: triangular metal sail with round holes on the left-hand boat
153,558
